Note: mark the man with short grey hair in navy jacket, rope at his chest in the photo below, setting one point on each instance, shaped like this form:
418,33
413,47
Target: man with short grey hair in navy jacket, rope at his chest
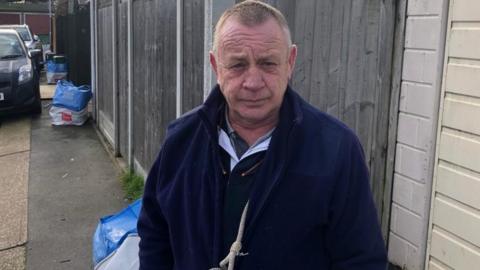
256,178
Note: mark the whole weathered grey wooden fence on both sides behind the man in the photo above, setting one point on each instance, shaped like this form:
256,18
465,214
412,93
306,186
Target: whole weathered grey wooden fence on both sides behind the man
344,67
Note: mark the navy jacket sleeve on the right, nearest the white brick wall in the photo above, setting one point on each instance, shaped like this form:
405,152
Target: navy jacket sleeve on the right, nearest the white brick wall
354,238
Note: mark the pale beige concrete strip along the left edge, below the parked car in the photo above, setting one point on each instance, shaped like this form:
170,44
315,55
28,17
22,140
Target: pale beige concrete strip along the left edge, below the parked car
14,160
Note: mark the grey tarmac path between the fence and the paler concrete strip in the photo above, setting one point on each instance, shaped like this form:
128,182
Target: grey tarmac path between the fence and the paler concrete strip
73,182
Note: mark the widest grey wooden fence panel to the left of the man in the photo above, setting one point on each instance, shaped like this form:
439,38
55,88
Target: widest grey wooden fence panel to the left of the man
154,30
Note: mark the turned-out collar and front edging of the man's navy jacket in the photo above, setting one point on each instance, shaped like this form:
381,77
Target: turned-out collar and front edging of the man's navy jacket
273,169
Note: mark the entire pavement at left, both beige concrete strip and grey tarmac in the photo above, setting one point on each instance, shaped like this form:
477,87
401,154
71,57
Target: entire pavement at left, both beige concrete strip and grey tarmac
59,181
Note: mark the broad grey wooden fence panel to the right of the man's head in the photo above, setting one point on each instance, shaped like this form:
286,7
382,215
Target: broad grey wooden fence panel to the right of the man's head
344,68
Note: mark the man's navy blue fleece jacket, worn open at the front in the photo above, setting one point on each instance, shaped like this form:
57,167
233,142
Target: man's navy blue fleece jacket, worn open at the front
310,205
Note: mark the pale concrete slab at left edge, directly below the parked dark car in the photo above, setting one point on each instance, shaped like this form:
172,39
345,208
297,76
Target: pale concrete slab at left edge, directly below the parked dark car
14,135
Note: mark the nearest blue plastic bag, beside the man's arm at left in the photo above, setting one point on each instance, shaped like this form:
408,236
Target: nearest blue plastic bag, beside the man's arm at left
112,230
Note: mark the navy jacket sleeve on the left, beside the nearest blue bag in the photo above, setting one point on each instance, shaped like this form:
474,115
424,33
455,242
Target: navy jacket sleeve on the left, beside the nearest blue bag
155,249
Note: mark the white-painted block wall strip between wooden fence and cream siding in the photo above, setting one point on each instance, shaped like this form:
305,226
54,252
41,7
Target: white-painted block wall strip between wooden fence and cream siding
420,90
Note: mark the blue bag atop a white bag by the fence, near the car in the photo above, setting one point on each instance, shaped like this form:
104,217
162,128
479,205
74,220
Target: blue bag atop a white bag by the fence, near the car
72,97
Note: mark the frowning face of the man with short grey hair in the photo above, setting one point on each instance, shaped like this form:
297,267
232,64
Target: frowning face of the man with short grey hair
253,65
